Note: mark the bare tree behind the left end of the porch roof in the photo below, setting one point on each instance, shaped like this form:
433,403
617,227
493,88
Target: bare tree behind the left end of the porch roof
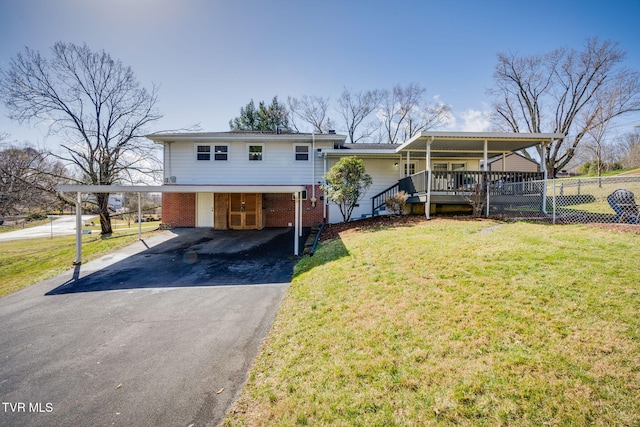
404,112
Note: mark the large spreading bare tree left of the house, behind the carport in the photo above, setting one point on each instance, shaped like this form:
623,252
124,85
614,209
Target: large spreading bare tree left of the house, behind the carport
95,104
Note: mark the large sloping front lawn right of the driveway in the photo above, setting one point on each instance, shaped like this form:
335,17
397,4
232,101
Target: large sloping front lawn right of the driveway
443,324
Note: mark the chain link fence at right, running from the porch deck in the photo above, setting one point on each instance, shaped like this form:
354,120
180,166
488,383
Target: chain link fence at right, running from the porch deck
570,200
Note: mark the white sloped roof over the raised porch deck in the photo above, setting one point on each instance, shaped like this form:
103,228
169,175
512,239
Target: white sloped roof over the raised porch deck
471,144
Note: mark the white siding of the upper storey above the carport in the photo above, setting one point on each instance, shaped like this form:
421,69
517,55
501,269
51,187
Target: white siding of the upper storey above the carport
278,166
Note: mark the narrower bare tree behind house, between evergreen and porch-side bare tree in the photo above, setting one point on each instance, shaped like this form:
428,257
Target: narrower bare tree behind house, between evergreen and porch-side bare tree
355,108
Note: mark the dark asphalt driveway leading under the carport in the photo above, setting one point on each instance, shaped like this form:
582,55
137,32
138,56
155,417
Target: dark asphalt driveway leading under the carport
161,333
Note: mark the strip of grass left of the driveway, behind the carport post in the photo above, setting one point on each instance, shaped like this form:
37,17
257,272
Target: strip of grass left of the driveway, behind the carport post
25,262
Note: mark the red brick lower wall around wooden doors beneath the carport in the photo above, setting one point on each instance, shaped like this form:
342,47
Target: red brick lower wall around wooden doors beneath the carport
179,209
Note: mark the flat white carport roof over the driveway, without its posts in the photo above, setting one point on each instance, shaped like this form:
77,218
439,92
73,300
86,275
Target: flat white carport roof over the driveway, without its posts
181,188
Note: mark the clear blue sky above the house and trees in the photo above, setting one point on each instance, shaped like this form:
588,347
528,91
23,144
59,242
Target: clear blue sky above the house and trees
211,57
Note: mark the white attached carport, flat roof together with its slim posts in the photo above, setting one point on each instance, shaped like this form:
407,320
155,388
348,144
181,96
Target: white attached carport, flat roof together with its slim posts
295,190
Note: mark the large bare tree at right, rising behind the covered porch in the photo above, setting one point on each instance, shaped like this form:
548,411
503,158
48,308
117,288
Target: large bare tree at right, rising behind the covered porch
562,92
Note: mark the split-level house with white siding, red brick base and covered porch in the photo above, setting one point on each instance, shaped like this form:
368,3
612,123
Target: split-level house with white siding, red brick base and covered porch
252,180
